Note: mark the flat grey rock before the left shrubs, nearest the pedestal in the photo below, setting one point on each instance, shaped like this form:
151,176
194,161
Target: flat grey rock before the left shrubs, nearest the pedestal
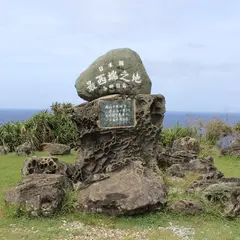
56,148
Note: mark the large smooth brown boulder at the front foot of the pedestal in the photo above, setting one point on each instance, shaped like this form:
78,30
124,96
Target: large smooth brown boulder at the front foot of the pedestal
131,191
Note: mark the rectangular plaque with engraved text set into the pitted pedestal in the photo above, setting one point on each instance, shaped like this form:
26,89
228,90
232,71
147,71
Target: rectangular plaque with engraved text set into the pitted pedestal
117,113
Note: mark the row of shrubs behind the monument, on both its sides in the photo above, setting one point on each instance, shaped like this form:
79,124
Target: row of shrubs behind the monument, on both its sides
56,126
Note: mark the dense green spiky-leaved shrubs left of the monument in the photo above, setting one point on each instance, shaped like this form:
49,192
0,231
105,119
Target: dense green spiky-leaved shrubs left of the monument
45,126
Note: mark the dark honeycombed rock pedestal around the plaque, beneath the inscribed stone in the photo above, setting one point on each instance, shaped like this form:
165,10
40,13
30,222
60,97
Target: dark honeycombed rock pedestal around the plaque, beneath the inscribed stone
105,150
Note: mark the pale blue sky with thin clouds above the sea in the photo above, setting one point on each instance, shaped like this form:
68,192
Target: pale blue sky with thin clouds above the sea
190,49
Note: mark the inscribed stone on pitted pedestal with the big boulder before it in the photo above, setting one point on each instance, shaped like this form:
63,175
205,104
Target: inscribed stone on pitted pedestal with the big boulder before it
119,131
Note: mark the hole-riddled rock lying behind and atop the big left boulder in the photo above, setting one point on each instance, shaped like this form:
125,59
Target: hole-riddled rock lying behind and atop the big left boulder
47,165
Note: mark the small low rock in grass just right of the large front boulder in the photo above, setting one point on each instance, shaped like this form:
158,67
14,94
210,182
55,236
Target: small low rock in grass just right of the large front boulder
187,207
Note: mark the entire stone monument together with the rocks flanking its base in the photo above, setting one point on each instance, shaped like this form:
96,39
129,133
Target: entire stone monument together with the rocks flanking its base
117,166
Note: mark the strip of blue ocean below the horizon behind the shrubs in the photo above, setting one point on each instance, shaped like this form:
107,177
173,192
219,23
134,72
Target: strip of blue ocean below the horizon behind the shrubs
170,119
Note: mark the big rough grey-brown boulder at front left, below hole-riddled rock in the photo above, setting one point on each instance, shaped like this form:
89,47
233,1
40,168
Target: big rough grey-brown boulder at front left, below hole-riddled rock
39,194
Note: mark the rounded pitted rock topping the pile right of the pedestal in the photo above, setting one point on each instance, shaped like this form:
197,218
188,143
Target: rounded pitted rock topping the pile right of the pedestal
186,144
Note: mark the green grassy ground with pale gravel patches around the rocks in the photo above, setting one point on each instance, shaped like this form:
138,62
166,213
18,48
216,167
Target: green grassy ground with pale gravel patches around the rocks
154,226
